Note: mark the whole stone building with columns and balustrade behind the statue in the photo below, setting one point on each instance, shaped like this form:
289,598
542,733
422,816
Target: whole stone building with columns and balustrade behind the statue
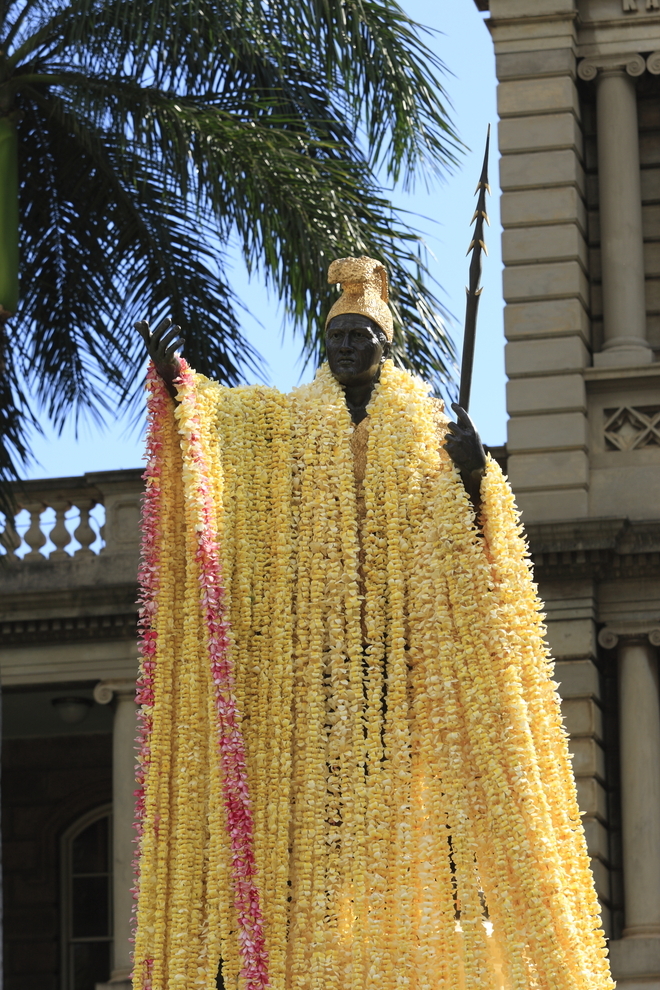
579,135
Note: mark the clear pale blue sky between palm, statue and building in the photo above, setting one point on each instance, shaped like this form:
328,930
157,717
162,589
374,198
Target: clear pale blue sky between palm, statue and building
441,214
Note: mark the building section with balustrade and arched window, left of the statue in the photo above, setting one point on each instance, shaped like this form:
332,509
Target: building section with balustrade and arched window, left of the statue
68,657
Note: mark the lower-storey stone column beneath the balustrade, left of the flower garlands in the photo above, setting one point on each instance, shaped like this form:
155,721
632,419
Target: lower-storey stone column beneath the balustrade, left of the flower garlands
123,786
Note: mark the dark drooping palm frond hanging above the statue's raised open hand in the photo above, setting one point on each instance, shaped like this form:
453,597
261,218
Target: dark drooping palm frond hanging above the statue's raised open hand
77,331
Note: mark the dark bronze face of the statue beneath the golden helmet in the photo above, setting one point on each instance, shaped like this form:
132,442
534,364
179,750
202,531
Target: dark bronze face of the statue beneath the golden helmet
356,348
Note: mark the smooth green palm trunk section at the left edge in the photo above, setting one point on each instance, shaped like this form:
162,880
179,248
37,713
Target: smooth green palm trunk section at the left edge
8,217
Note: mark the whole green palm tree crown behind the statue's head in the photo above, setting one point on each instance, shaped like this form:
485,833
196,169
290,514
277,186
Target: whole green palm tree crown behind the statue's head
137,140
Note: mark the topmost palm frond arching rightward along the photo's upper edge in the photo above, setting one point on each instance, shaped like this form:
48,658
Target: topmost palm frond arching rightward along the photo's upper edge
366,54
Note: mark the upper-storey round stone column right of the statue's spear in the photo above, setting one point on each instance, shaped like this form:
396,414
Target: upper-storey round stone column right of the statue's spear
621,239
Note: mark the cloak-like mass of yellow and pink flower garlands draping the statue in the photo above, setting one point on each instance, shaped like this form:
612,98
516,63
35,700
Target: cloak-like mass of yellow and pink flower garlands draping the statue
353,771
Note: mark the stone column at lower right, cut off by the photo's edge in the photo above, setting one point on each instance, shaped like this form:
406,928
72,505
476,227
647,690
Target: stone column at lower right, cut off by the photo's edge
640,785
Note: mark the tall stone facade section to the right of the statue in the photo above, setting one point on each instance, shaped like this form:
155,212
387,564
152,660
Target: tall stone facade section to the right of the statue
579,137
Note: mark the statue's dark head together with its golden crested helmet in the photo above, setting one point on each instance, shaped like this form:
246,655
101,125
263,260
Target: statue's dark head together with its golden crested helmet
358,331
